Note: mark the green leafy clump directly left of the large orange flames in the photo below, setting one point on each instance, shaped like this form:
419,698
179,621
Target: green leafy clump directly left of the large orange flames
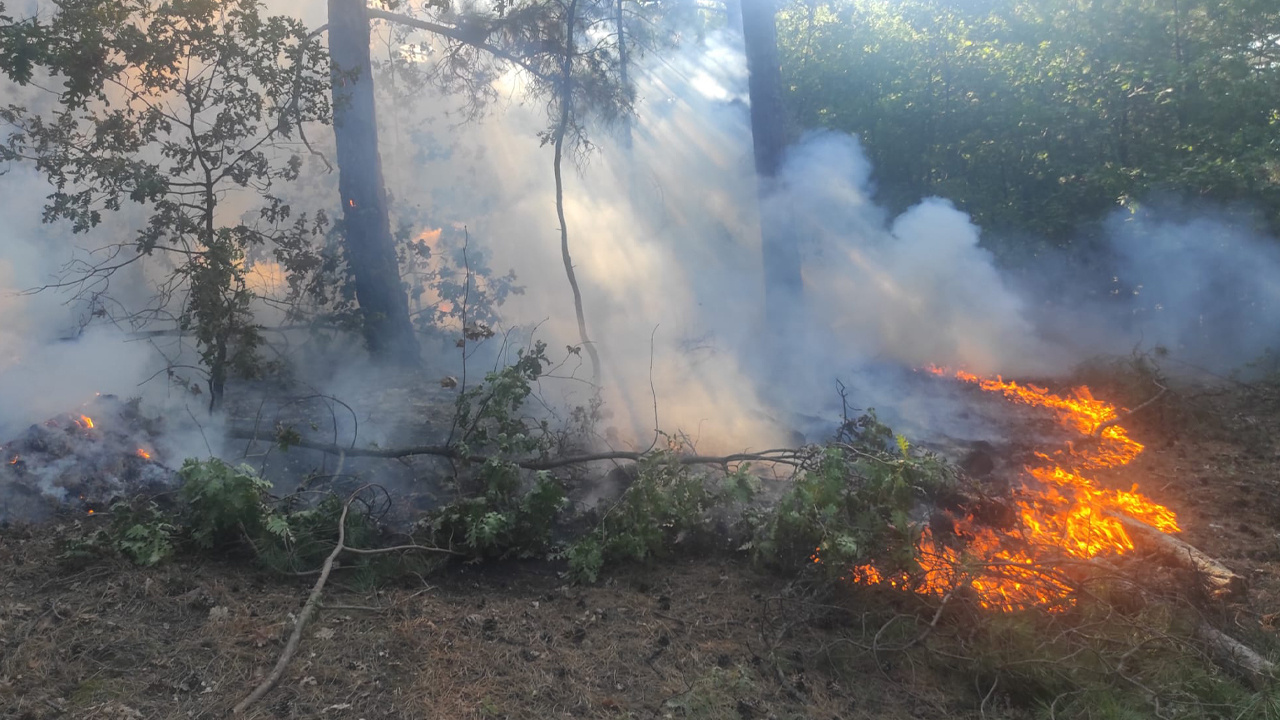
853,505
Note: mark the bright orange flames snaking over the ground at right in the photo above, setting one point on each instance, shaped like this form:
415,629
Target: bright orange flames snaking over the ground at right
1063,517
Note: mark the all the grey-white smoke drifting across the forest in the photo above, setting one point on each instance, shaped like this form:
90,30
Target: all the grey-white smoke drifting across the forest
665,238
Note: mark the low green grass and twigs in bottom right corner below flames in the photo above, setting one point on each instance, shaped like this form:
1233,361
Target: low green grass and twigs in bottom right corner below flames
1098,662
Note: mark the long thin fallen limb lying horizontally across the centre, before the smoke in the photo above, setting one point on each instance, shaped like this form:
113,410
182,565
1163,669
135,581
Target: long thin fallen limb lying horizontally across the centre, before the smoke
787,457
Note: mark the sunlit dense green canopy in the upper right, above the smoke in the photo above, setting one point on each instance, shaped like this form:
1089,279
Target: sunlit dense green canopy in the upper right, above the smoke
1039,116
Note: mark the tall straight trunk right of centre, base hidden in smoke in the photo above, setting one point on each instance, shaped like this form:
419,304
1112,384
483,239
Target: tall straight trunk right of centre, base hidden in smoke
783,285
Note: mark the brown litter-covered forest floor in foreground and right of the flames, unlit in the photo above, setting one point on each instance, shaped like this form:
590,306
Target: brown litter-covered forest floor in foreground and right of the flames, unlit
705,637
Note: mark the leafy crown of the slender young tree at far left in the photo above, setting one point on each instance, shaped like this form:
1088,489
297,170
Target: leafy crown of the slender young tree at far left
172,106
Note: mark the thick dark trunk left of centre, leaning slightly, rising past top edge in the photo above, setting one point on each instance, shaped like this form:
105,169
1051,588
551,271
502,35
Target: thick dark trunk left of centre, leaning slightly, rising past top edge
371,248
